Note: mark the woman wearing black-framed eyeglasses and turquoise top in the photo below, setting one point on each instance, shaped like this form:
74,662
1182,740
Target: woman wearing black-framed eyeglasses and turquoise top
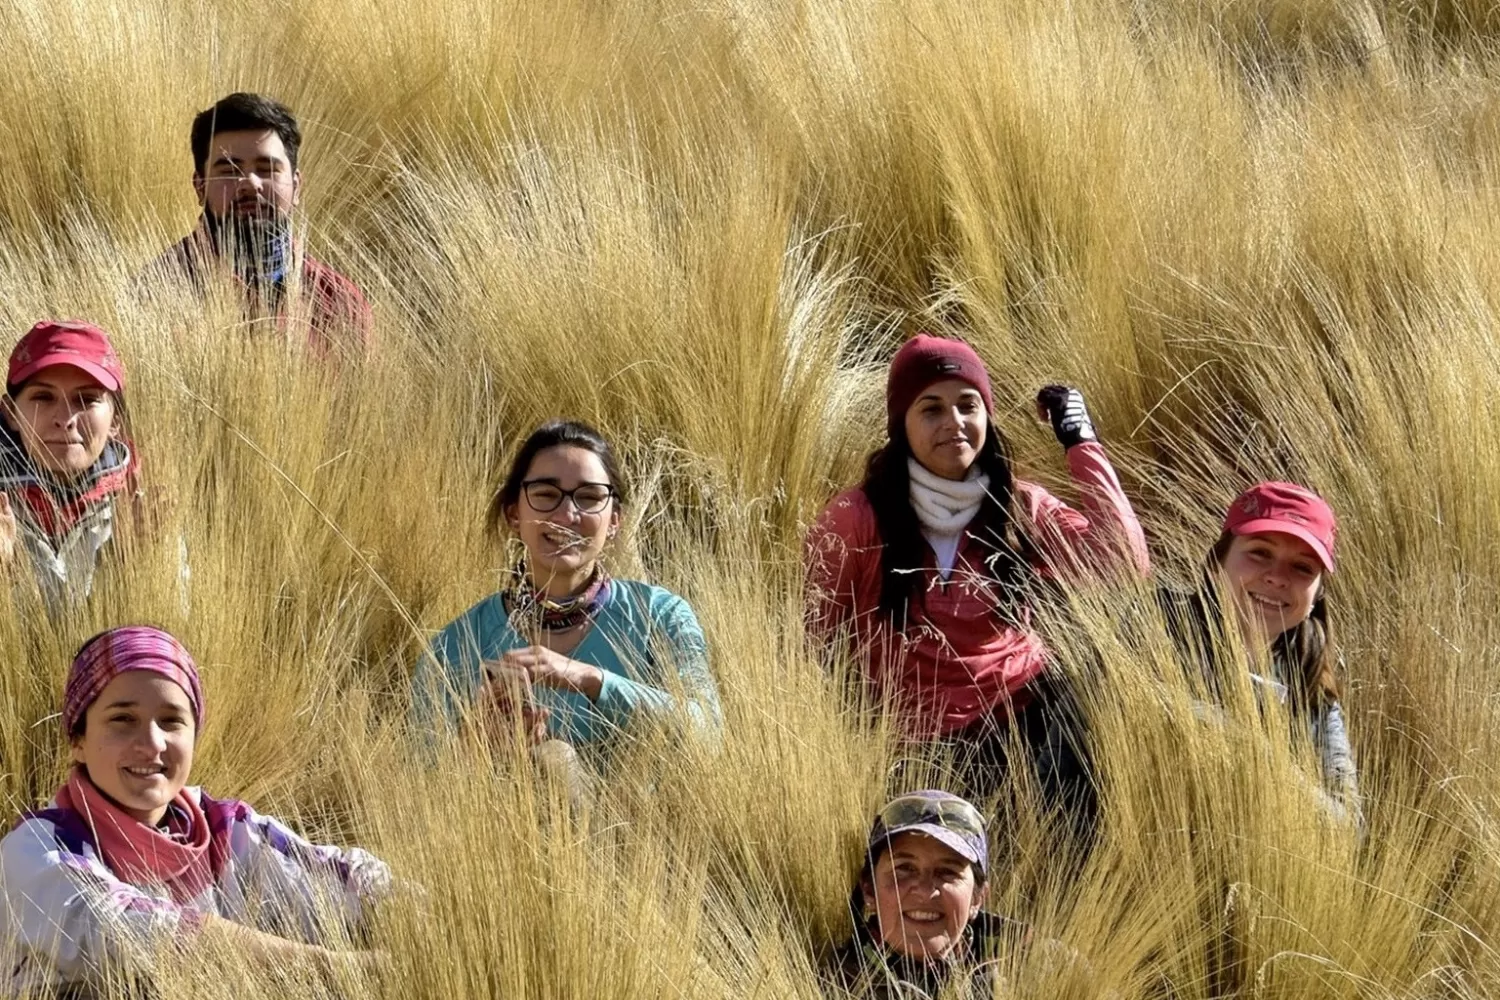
569,654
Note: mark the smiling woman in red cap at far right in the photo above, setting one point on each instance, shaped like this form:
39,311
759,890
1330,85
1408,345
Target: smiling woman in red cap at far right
1271,563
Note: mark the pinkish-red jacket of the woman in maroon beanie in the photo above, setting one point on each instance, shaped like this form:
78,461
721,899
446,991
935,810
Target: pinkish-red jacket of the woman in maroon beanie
956,662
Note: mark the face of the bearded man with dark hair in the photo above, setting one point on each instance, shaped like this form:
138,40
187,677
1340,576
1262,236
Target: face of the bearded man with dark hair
248,175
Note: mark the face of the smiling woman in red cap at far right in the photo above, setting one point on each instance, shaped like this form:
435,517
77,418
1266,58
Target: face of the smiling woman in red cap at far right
1274,579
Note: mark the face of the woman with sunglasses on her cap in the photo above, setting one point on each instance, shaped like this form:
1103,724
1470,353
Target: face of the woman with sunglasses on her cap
925,897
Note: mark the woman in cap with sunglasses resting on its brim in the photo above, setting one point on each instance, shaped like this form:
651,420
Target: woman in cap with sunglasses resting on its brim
917,905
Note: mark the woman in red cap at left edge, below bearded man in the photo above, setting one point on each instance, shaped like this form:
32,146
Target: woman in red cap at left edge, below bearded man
65,460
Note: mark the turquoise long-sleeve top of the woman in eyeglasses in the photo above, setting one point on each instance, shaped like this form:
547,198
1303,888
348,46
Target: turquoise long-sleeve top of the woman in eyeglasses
646,641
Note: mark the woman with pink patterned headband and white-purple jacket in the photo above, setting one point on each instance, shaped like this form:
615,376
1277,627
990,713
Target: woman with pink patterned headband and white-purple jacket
128,858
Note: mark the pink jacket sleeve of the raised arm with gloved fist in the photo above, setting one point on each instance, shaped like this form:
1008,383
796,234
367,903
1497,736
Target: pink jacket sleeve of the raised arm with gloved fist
1102,539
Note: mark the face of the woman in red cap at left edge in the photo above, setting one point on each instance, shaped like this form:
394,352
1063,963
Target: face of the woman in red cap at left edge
65,419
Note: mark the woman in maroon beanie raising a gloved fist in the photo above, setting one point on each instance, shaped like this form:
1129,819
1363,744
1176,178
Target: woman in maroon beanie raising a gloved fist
929,566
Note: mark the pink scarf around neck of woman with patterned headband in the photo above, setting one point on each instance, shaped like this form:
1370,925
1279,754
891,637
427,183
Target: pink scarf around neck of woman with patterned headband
145,855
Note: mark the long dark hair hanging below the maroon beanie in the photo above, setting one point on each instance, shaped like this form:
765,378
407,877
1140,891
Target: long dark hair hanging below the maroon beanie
904,551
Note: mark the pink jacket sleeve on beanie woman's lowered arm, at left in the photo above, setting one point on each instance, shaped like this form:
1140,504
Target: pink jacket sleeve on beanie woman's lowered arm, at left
844,564
